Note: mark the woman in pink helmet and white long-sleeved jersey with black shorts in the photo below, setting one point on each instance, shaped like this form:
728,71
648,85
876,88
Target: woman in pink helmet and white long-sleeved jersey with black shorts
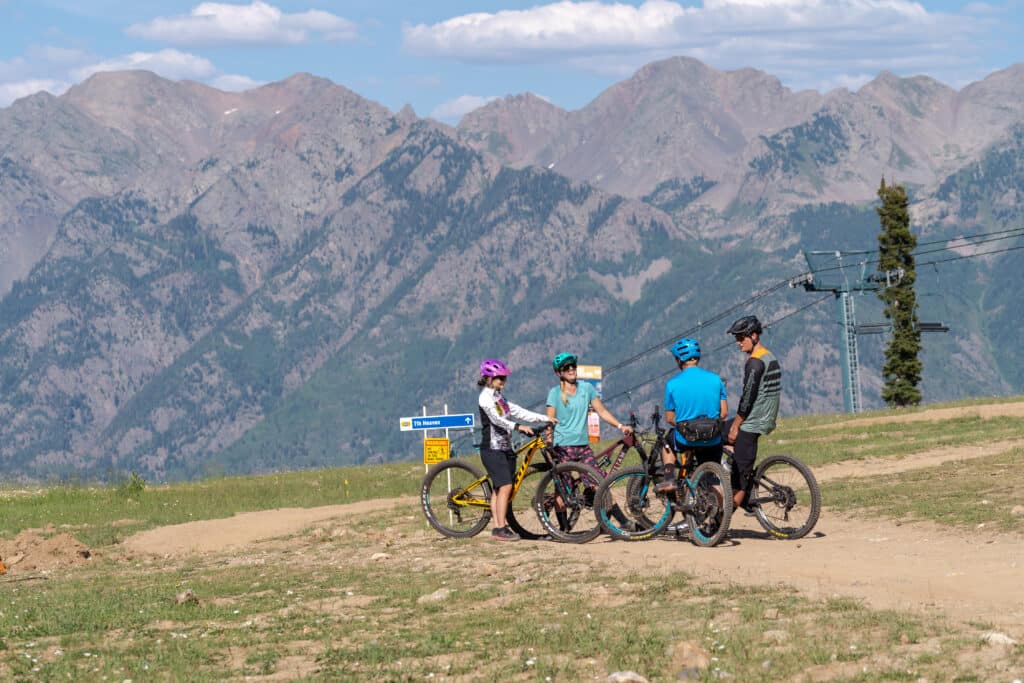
499,419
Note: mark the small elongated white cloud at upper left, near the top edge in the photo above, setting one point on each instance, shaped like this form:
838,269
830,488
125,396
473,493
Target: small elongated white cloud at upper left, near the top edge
259,23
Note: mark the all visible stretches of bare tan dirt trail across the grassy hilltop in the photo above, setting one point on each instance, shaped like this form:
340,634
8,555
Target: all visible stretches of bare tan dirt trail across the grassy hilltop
969,576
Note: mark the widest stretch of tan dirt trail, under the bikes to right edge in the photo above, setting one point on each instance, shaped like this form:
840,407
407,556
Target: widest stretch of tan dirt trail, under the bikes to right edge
921,567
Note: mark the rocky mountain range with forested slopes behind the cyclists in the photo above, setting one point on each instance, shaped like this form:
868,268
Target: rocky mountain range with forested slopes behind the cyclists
197,282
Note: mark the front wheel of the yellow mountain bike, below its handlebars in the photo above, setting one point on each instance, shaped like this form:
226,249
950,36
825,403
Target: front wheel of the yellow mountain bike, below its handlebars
575,485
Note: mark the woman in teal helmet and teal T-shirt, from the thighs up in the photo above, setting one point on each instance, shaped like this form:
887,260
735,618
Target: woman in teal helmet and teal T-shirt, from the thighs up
570,403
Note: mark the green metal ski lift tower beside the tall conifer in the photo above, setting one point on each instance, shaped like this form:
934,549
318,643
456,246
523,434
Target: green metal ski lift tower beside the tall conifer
844,273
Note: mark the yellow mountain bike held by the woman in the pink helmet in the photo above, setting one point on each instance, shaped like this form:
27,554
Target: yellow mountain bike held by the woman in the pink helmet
456,497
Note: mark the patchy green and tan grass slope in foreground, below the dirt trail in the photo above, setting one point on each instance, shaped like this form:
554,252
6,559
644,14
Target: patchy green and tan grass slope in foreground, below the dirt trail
323,610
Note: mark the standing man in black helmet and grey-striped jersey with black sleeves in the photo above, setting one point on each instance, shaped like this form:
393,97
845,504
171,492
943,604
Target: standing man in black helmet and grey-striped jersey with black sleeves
758,407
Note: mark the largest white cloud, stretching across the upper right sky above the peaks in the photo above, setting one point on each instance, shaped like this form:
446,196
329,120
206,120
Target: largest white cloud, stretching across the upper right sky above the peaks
805,42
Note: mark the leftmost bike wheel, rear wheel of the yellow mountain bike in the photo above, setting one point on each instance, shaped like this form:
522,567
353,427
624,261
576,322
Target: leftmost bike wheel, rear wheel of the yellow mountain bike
456,499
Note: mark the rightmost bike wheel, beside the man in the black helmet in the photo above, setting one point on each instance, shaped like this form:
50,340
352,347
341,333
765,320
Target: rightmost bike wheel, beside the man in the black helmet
786,497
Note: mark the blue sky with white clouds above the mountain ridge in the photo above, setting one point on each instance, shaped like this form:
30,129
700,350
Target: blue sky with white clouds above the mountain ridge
446,58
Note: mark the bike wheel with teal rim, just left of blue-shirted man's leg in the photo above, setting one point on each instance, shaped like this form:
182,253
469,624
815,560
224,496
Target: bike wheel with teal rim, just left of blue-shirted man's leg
628,508
